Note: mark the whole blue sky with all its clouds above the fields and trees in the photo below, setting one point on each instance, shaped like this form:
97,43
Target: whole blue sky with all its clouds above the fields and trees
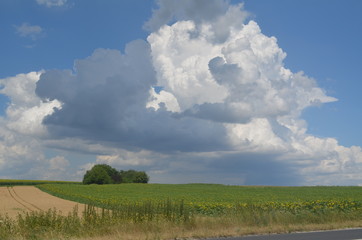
252,92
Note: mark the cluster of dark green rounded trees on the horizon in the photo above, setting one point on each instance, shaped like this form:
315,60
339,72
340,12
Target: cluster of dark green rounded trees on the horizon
105,174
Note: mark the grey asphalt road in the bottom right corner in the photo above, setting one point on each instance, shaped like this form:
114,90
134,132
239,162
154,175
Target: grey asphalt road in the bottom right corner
349,234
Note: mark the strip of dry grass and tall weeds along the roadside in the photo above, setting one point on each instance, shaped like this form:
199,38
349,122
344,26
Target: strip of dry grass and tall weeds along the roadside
154,222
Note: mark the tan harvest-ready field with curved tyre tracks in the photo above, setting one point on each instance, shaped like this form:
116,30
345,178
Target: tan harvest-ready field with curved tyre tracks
21,199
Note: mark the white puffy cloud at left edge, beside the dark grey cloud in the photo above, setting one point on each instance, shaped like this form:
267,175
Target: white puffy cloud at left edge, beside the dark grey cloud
21,129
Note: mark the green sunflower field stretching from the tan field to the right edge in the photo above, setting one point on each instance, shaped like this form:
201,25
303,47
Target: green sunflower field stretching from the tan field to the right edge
212,198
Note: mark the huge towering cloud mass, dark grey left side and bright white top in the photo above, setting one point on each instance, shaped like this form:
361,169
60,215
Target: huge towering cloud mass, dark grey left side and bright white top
206,98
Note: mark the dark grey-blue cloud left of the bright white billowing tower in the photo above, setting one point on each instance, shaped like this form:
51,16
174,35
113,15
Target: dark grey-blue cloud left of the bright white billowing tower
106,100
